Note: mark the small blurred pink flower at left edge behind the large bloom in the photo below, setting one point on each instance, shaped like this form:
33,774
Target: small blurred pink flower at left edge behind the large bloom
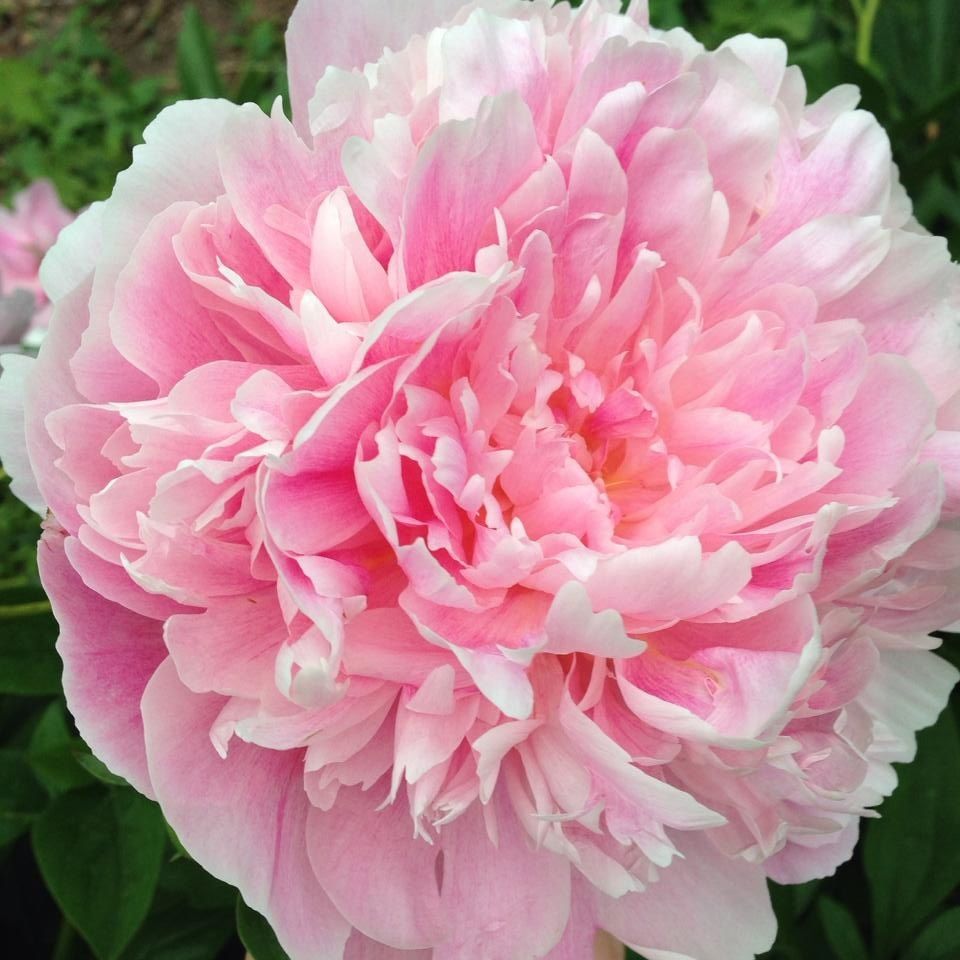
27,232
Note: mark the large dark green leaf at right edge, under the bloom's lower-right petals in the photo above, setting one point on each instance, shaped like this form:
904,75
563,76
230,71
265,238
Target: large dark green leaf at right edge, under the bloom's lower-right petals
910,861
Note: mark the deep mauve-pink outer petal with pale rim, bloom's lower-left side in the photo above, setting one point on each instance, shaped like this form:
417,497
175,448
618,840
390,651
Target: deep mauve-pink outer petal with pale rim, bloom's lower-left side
109,654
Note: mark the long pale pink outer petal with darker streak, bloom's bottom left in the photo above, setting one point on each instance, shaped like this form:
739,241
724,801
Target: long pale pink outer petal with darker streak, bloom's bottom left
243,818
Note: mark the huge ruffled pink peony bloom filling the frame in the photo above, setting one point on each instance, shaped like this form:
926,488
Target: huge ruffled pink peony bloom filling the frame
512,500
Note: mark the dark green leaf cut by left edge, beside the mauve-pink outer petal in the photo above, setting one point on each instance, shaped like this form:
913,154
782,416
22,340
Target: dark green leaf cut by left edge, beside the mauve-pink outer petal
29,664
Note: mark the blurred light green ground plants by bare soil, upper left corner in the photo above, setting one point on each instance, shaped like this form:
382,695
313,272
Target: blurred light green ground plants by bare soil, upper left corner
73,108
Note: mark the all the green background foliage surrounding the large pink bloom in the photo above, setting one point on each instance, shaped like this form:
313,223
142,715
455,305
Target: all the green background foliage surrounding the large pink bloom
88,869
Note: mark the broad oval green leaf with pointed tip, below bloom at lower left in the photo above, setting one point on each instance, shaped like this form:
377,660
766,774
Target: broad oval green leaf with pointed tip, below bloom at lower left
100,852
